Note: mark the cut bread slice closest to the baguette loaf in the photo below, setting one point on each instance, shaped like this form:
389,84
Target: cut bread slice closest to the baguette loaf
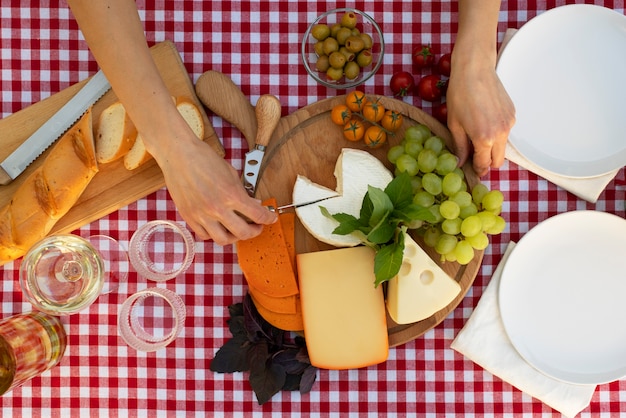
115,135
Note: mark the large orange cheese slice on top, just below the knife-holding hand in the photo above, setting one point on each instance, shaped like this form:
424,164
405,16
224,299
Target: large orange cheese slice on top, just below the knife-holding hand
266,262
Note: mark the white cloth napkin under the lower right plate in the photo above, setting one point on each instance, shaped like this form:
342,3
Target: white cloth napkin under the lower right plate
483,340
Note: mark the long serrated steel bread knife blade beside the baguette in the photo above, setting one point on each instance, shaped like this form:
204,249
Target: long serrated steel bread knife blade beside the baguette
53,128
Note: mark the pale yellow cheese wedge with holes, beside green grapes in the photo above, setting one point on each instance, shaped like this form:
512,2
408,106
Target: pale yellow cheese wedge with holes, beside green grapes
421,288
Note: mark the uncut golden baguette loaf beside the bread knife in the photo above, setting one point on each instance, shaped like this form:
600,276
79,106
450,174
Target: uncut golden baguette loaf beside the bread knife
49,192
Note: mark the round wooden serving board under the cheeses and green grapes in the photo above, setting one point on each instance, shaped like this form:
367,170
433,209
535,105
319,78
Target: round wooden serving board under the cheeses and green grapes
308,143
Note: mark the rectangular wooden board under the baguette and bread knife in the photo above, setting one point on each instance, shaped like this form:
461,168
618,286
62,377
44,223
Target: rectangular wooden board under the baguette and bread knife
114,186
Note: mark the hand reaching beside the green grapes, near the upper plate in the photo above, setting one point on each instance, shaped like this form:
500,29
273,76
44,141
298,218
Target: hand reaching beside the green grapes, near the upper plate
480,116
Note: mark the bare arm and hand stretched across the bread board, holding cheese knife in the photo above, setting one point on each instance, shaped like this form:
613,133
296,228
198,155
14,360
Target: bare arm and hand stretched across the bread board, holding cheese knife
206,189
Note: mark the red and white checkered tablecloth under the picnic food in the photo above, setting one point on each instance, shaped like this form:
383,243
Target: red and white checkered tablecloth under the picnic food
257,44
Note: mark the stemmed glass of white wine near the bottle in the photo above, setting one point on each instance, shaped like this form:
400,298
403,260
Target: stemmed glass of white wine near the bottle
64,274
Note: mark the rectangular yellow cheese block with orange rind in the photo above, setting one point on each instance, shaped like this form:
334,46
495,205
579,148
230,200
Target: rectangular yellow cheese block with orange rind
344,317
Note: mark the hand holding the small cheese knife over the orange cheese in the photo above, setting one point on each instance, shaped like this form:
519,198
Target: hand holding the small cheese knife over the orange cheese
210,196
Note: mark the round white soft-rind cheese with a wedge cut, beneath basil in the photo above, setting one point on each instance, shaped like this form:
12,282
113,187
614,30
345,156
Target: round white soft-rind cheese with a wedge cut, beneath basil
355,170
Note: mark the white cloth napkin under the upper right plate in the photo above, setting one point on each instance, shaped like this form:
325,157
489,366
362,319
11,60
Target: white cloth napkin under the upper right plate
588,189
